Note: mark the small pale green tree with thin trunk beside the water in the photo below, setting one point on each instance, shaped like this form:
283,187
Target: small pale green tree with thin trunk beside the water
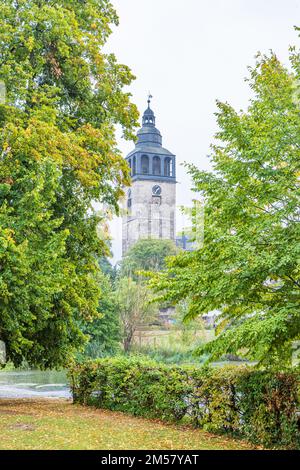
135,307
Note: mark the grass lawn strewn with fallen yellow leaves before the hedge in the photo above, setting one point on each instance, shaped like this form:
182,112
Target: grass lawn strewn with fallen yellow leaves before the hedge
58,424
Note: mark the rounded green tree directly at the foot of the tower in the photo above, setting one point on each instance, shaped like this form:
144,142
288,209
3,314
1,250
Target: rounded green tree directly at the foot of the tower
147,255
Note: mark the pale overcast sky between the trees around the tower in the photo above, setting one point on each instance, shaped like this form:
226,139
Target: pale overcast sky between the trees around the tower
188,54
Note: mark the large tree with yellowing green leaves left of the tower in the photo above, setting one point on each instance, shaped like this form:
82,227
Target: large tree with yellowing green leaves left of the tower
58,154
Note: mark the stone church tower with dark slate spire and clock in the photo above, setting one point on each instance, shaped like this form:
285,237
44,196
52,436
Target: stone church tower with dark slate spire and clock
150,203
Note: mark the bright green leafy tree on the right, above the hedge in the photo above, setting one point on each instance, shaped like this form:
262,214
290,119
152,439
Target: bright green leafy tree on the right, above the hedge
248,267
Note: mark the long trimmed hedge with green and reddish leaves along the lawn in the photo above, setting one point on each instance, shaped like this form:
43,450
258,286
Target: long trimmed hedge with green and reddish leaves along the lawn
257,405
